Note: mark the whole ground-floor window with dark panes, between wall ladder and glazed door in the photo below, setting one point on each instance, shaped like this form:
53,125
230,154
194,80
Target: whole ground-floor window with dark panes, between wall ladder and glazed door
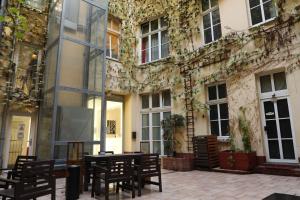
218,110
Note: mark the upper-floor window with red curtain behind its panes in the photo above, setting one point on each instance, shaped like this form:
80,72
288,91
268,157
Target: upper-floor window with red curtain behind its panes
155,41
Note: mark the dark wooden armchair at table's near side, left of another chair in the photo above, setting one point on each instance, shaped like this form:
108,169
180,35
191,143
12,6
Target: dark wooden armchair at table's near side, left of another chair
118,169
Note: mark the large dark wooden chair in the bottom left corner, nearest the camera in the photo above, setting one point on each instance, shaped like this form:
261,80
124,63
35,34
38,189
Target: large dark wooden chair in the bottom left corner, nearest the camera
36,180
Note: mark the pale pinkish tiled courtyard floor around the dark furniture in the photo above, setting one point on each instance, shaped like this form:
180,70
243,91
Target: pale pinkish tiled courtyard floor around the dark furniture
200,185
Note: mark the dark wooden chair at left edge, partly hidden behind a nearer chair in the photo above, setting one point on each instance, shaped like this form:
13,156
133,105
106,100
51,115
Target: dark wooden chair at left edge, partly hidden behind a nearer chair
14,173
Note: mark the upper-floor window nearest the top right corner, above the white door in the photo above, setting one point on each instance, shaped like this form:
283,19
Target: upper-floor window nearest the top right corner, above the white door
262,11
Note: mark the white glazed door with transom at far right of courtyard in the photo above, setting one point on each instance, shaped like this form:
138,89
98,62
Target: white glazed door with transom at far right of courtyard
276,115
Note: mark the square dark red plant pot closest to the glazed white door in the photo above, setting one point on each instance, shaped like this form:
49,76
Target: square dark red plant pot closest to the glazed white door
245,161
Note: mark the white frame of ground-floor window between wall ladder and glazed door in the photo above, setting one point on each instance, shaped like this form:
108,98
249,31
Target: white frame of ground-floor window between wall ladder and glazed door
217,103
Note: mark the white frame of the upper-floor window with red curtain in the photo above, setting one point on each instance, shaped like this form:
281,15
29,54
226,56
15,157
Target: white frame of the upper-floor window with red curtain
149,35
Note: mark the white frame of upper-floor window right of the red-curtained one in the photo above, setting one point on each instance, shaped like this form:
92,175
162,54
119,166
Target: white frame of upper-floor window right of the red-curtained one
209,12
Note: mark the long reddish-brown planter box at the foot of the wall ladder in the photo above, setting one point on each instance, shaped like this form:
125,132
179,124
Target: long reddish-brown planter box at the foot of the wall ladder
177,163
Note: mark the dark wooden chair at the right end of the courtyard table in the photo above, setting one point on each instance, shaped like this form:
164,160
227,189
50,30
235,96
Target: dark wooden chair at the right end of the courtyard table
149,167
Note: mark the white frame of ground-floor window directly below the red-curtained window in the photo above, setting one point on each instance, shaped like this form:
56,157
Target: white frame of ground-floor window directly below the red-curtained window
150,111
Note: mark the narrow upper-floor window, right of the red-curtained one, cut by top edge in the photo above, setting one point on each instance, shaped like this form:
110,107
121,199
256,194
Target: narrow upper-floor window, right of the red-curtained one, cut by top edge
211,21
